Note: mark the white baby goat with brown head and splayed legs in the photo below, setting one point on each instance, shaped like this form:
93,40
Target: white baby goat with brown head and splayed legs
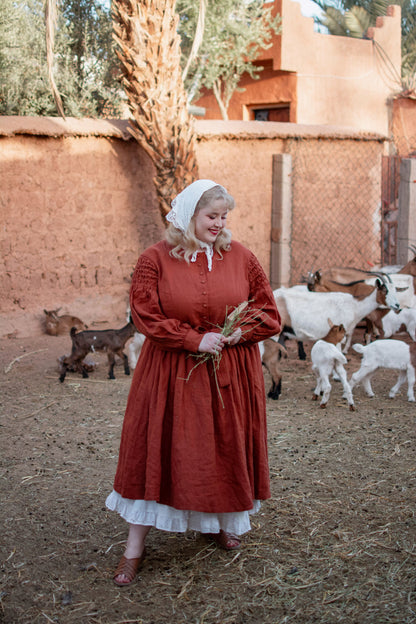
326,358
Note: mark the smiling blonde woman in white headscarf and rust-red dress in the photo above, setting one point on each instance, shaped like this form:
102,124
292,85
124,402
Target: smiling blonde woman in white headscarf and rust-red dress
193,449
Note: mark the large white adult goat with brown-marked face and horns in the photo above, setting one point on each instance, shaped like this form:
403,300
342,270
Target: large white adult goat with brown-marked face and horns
307,312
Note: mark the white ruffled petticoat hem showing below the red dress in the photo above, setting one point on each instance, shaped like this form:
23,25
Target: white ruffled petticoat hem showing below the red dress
150,513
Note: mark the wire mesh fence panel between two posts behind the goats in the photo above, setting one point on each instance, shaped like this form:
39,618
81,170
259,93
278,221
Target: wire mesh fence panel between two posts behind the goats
336,205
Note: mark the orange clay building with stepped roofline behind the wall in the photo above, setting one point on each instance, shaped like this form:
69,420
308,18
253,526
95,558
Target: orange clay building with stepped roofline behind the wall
315,78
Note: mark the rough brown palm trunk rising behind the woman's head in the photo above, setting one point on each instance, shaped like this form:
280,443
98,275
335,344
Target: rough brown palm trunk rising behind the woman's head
149,51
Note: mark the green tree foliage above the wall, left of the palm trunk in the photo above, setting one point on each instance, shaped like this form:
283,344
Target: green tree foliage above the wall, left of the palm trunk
85,63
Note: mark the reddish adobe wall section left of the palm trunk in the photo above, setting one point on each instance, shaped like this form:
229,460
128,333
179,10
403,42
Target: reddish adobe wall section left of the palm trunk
76,211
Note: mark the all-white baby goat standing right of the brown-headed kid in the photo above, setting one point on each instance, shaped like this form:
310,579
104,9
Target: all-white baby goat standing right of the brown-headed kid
393,354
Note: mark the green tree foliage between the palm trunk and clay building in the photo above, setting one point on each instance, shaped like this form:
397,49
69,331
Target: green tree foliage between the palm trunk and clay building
235,33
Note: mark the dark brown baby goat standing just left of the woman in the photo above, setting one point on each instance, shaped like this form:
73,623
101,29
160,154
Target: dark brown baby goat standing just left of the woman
111,341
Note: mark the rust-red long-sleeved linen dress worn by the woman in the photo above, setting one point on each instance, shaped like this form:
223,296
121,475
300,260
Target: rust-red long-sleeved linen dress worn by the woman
179,445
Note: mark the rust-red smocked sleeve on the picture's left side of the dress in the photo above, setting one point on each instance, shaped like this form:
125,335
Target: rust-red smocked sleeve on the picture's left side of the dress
168,333
